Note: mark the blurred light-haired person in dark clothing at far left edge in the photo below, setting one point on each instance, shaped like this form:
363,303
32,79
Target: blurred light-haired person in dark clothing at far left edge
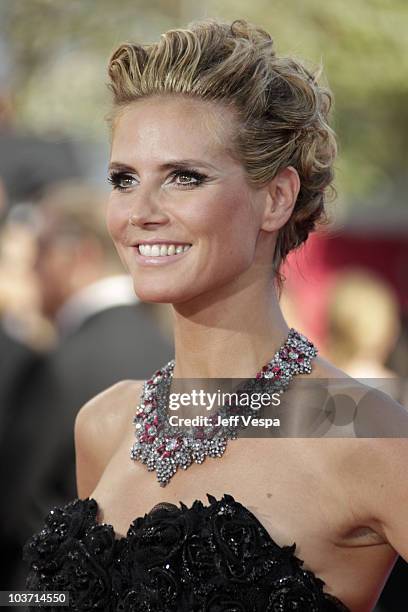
23,333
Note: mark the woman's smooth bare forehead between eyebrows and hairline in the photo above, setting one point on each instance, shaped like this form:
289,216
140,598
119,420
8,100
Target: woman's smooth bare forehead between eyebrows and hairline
173,126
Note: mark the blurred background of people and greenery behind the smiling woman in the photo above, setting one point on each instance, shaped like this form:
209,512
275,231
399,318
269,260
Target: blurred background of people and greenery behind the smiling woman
70,324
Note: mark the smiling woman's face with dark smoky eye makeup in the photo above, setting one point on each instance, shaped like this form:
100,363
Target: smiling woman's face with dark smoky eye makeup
175,185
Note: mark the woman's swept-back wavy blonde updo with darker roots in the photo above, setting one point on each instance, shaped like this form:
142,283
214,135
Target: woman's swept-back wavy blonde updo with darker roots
282,109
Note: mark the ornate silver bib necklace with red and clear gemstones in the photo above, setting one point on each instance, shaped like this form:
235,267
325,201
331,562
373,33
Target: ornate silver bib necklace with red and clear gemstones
165,448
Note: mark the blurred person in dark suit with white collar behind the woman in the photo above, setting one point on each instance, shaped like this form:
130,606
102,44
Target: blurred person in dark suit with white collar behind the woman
102,334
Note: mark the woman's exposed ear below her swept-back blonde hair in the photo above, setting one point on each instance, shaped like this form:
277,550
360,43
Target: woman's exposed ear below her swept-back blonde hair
282,193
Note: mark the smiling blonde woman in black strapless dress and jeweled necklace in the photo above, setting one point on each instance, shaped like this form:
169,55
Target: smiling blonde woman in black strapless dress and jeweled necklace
220,165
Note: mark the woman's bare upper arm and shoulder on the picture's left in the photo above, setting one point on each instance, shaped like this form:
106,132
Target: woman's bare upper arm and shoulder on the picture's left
99,426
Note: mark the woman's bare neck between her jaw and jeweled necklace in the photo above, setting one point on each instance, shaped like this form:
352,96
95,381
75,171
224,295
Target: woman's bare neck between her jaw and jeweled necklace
228,335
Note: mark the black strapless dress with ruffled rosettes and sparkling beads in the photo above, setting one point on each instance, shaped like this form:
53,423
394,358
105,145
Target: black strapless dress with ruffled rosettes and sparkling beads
215,558
